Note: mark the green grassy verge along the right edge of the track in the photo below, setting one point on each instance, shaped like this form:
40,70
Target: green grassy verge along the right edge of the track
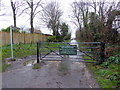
107,75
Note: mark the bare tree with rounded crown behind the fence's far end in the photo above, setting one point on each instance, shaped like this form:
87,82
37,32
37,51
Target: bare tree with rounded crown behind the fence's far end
51,14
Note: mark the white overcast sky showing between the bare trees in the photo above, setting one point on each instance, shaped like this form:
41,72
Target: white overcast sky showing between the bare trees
23,21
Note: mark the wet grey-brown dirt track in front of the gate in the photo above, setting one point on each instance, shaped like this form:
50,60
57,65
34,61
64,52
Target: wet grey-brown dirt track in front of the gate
51,75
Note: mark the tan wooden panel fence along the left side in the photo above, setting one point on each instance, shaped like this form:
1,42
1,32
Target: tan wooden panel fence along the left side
21,38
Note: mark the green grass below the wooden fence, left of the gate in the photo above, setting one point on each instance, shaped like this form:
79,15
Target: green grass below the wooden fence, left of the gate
19,51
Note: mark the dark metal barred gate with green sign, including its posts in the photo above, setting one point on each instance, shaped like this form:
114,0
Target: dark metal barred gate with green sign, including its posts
88,52
